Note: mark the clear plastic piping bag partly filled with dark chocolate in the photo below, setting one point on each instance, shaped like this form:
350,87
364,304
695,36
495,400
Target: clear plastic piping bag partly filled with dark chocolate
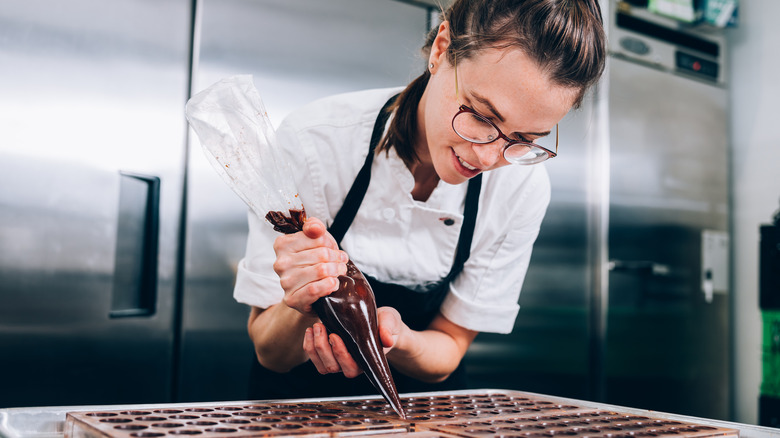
238,138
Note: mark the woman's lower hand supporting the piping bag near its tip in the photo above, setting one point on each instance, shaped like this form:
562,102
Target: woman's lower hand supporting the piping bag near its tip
329,353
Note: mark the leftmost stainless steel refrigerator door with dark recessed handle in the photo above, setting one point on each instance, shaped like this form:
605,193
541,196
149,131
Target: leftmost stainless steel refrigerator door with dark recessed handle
91,170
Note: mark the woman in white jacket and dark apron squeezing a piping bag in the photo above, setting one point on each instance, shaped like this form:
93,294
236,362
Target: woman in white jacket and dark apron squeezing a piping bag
427,205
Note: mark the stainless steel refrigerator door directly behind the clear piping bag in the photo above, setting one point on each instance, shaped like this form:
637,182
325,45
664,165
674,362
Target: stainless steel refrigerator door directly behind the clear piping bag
297,51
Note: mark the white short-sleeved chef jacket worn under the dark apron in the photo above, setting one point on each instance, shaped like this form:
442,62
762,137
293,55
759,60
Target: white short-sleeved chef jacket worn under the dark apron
393,237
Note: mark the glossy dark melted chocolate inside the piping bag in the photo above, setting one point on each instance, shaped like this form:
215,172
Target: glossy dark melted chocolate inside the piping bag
350,312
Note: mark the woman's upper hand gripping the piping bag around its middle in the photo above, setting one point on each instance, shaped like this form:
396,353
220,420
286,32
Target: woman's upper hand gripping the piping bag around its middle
308,264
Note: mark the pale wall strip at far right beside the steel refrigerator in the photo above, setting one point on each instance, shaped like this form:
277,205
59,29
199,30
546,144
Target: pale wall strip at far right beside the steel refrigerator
756,181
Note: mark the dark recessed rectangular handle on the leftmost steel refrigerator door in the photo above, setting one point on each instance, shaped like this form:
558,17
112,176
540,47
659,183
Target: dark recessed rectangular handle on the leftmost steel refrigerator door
135,264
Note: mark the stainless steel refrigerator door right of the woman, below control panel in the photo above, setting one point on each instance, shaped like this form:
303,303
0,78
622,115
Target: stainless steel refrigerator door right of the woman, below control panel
667,339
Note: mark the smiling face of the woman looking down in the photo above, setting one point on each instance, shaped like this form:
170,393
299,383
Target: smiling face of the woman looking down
502,85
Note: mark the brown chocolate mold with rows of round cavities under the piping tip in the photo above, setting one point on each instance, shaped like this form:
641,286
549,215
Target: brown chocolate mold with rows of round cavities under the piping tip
484,414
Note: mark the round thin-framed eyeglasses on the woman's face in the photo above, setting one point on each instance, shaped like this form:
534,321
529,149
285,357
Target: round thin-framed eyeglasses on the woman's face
476,128
